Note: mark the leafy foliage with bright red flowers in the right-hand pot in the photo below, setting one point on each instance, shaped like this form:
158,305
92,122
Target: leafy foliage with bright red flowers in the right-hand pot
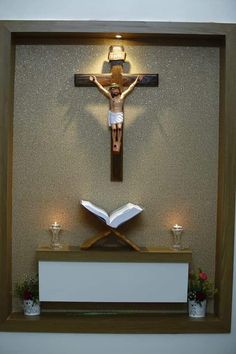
200,287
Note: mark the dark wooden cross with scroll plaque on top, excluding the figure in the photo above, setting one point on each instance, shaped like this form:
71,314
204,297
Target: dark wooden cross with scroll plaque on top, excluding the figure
116,58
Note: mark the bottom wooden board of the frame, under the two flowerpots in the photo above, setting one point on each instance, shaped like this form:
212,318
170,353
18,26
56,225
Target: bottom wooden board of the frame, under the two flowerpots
113,323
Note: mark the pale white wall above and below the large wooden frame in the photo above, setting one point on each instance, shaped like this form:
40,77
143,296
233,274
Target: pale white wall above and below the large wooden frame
148,10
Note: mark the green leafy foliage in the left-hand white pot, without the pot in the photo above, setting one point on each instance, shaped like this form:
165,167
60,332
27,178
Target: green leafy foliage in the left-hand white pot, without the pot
28,288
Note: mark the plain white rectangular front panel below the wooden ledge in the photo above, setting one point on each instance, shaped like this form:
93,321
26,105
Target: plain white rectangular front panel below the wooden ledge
112,281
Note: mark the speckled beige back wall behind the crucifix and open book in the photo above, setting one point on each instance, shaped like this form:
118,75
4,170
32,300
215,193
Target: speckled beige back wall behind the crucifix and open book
62,148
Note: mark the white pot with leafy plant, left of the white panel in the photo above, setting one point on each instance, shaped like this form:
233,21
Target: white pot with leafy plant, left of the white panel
28,291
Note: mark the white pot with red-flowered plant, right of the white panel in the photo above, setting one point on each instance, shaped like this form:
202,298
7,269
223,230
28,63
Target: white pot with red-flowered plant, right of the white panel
200,289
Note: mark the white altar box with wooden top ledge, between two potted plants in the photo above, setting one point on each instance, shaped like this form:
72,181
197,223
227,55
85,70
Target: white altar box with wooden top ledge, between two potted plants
71,275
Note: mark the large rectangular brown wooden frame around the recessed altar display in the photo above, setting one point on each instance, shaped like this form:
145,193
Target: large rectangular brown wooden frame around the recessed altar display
221,35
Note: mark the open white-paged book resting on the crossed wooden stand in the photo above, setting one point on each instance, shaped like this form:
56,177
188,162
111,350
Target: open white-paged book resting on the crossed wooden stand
117,217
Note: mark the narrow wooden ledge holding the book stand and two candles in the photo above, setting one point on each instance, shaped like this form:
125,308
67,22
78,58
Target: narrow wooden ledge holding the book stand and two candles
72,253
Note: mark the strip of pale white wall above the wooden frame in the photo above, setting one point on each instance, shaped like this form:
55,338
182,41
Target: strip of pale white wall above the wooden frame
133,10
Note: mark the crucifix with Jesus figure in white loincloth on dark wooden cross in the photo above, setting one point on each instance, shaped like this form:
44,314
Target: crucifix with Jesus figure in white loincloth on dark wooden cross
120,85
